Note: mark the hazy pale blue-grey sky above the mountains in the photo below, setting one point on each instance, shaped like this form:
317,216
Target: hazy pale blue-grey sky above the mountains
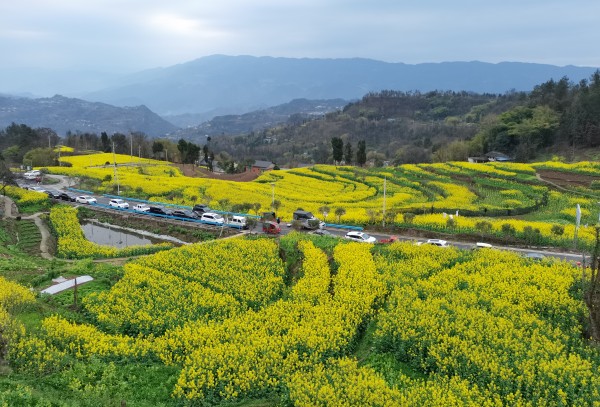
130,35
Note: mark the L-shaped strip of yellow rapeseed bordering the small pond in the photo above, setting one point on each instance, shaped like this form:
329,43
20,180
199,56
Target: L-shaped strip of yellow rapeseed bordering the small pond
72,244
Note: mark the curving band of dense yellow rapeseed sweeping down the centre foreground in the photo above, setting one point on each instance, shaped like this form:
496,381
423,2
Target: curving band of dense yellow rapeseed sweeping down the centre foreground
254,353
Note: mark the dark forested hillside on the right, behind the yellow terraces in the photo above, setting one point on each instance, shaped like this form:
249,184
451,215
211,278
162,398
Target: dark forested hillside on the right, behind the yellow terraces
556,117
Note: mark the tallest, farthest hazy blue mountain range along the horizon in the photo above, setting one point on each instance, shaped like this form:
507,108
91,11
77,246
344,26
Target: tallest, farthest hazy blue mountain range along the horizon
219,84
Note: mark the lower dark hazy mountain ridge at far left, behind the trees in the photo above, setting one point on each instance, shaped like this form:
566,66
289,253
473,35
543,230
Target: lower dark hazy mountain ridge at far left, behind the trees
62,114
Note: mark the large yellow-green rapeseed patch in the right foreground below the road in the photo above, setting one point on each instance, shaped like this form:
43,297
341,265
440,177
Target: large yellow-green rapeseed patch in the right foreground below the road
508,328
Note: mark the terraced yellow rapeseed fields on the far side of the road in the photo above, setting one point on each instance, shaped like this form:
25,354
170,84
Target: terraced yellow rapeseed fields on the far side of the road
358,191
